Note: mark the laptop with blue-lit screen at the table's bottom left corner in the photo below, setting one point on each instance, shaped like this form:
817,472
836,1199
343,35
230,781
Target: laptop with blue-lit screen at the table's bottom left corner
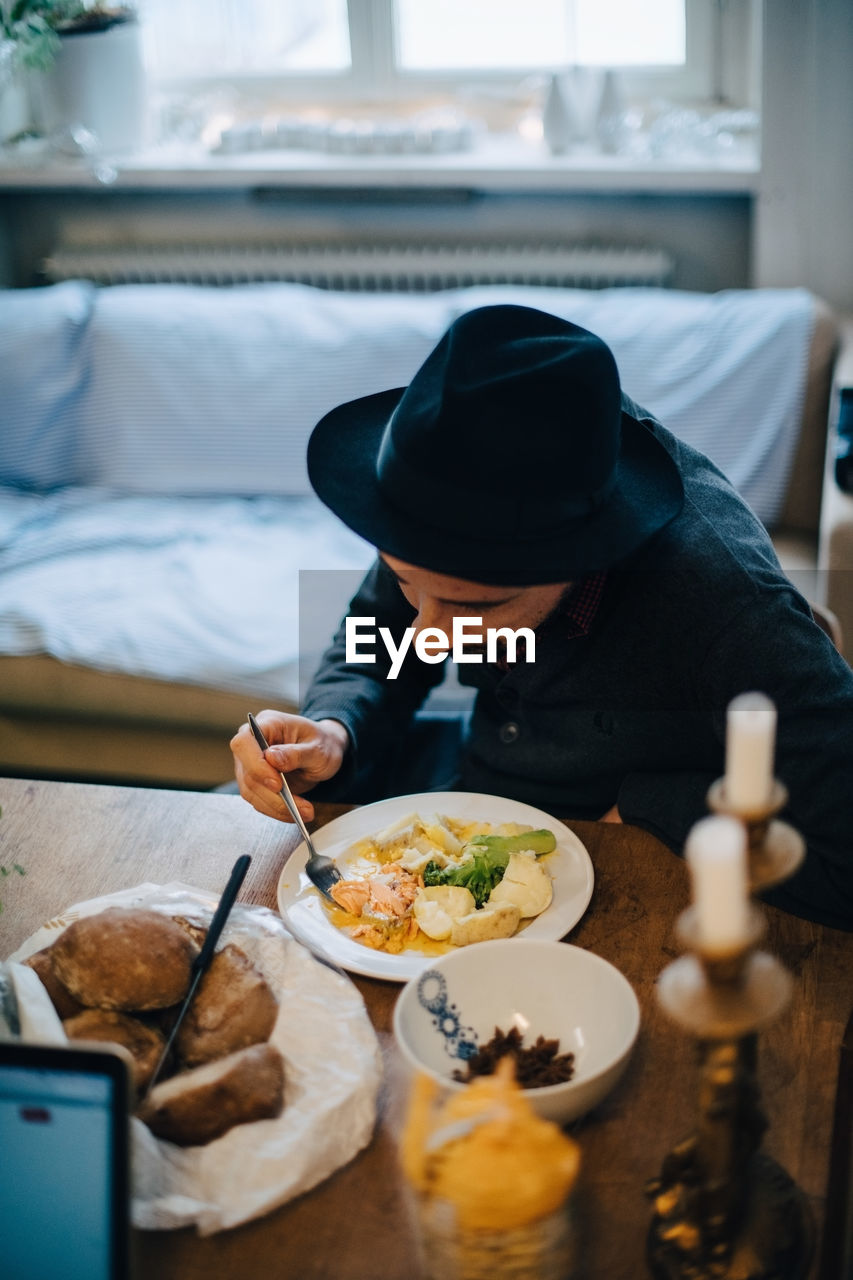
65,1164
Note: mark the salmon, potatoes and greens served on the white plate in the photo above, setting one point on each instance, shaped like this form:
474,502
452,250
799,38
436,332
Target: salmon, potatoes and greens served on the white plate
454,883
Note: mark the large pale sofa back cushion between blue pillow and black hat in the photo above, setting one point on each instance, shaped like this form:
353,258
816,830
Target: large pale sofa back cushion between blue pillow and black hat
206,391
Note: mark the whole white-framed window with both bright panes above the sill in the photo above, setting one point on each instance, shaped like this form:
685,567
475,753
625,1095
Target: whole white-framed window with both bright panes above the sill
380,49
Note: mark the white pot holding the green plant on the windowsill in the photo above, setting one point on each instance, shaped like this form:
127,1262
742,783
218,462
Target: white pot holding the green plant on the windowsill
99,83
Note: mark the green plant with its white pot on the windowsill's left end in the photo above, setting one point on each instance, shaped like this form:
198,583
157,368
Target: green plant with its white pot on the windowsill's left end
83,61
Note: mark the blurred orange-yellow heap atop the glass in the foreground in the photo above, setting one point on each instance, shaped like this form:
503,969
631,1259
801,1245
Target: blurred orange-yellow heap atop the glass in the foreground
485,1162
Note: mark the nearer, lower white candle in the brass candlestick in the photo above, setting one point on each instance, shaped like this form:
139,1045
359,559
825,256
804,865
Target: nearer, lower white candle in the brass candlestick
717,856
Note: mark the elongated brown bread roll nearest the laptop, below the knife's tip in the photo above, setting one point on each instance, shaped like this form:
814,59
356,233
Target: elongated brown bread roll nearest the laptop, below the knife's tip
200,1105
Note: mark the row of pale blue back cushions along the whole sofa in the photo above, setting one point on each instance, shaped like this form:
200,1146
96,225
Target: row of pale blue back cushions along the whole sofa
185,390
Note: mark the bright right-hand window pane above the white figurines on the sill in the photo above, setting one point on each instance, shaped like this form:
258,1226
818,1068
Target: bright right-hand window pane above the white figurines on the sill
492,35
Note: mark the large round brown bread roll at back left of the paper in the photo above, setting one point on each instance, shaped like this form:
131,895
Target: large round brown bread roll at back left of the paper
126,959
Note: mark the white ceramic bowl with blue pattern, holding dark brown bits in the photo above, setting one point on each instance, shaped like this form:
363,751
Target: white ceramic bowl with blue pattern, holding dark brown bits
544,989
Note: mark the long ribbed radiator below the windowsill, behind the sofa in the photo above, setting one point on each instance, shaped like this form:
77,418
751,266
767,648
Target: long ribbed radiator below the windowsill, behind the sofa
371,267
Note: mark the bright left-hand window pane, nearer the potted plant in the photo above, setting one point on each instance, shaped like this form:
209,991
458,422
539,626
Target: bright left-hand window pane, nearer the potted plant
218,38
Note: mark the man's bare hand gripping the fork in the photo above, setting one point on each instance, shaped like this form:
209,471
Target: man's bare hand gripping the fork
307,752
